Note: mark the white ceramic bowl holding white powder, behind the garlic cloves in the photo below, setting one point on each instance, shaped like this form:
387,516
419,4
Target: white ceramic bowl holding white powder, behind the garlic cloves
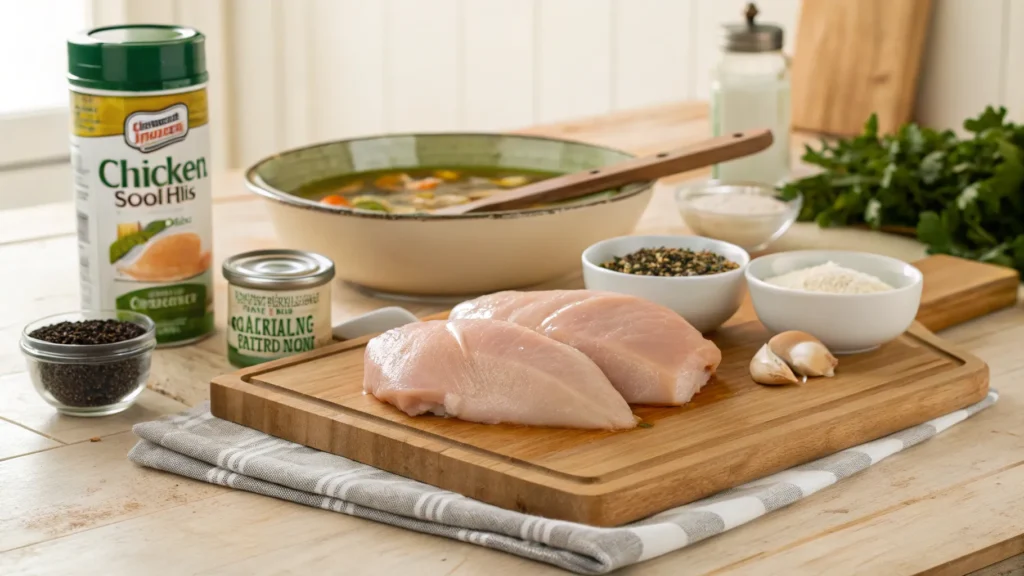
845,323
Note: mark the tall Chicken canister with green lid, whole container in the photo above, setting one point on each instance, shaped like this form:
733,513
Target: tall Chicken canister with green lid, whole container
141,153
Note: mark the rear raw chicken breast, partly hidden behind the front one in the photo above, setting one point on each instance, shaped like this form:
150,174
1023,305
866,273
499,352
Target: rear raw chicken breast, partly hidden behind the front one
649,352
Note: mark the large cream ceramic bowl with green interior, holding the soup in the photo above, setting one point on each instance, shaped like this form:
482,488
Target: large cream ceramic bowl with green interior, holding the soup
425,256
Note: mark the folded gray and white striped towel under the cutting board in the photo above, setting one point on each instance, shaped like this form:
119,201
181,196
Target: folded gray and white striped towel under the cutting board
199,446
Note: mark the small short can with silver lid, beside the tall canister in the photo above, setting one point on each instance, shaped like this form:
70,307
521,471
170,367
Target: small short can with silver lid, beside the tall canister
279,304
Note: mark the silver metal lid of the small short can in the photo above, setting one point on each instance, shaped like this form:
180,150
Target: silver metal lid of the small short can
279,270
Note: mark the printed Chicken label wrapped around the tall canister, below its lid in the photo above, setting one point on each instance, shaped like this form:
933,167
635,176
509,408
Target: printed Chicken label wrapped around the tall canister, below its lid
144,200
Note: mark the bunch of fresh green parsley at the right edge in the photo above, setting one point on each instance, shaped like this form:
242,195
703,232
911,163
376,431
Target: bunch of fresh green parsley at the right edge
964,196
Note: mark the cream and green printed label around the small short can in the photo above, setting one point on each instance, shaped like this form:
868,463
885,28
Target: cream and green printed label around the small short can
266,325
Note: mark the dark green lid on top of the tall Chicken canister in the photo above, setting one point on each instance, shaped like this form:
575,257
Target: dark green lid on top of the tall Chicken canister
138,58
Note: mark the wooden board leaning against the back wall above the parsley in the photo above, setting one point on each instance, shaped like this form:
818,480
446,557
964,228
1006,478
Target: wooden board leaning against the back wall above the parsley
855,58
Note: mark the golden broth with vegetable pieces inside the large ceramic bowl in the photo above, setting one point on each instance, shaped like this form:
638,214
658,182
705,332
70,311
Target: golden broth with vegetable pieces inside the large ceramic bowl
424,190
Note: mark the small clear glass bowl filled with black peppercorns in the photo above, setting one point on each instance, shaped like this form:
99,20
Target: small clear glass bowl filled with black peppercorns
90,363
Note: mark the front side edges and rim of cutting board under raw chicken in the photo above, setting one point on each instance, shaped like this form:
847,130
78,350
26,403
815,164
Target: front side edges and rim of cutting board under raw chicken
241,398
